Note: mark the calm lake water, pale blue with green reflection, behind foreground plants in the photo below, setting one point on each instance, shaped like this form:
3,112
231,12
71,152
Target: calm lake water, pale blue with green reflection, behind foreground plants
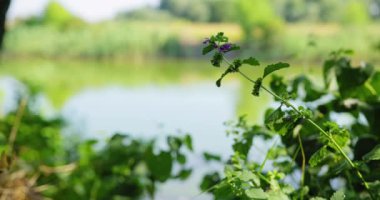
147,99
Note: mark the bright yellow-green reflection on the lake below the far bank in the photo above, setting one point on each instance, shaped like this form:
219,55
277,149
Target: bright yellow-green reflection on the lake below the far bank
61,79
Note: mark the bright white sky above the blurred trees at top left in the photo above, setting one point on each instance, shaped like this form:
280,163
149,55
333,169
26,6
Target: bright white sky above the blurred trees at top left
89,10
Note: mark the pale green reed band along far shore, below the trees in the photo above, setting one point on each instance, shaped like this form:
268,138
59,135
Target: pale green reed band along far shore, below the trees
123,40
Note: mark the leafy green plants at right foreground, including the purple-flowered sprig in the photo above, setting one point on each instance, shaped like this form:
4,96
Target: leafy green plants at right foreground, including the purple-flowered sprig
332,161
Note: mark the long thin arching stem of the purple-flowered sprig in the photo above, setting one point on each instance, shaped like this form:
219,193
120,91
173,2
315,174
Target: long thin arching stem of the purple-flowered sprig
287,103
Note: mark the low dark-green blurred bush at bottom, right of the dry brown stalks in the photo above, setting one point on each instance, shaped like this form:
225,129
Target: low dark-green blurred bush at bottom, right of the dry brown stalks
125,168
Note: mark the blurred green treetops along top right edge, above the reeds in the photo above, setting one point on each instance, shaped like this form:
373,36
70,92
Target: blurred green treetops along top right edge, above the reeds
289,10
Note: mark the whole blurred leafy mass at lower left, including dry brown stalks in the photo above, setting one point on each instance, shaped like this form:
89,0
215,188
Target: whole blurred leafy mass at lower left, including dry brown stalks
122,167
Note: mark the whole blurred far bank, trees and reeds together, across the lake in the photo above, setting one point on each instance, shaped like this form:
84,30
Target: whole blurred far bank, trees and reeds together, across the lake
176,28
